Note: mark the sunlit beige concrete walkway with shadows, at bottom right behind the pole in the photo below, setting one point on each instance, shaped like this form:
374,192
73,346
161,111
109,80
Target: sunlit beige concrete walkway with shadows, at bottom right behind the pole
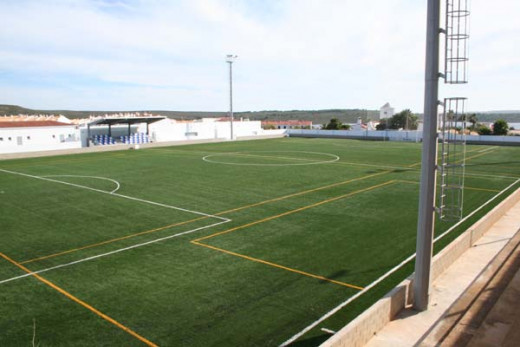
474,302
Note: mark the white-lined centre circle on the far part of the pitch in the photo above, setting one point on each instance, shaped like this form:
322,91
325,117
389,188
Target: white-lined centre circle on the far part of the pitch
271,158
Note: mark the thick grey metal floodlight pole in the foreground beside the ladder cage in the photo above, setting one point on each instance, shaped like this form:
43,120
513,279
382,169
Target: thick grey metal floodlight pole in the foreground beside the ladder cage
425,224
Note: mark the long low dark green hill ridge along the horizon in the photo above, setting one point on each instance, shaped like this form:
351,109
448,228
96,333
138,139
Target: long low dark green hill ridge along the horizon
316,116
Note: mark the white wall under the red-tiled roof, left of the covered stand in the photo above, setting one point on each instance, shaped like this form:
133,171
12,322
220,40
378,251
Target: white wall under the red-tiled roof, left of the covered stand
33,139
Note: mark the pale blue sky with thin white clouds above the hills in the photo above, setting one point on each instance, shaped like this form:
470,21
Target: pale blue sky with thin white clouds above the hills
293,54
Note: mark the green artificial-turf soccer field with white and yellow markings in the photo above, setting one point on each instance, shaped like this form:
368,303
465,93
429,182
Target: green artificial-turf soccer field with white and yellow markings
236,243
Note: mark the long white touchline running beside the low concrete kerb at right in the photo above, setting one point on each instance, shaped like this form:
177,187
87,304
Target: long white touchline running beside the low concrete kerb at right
391,271
